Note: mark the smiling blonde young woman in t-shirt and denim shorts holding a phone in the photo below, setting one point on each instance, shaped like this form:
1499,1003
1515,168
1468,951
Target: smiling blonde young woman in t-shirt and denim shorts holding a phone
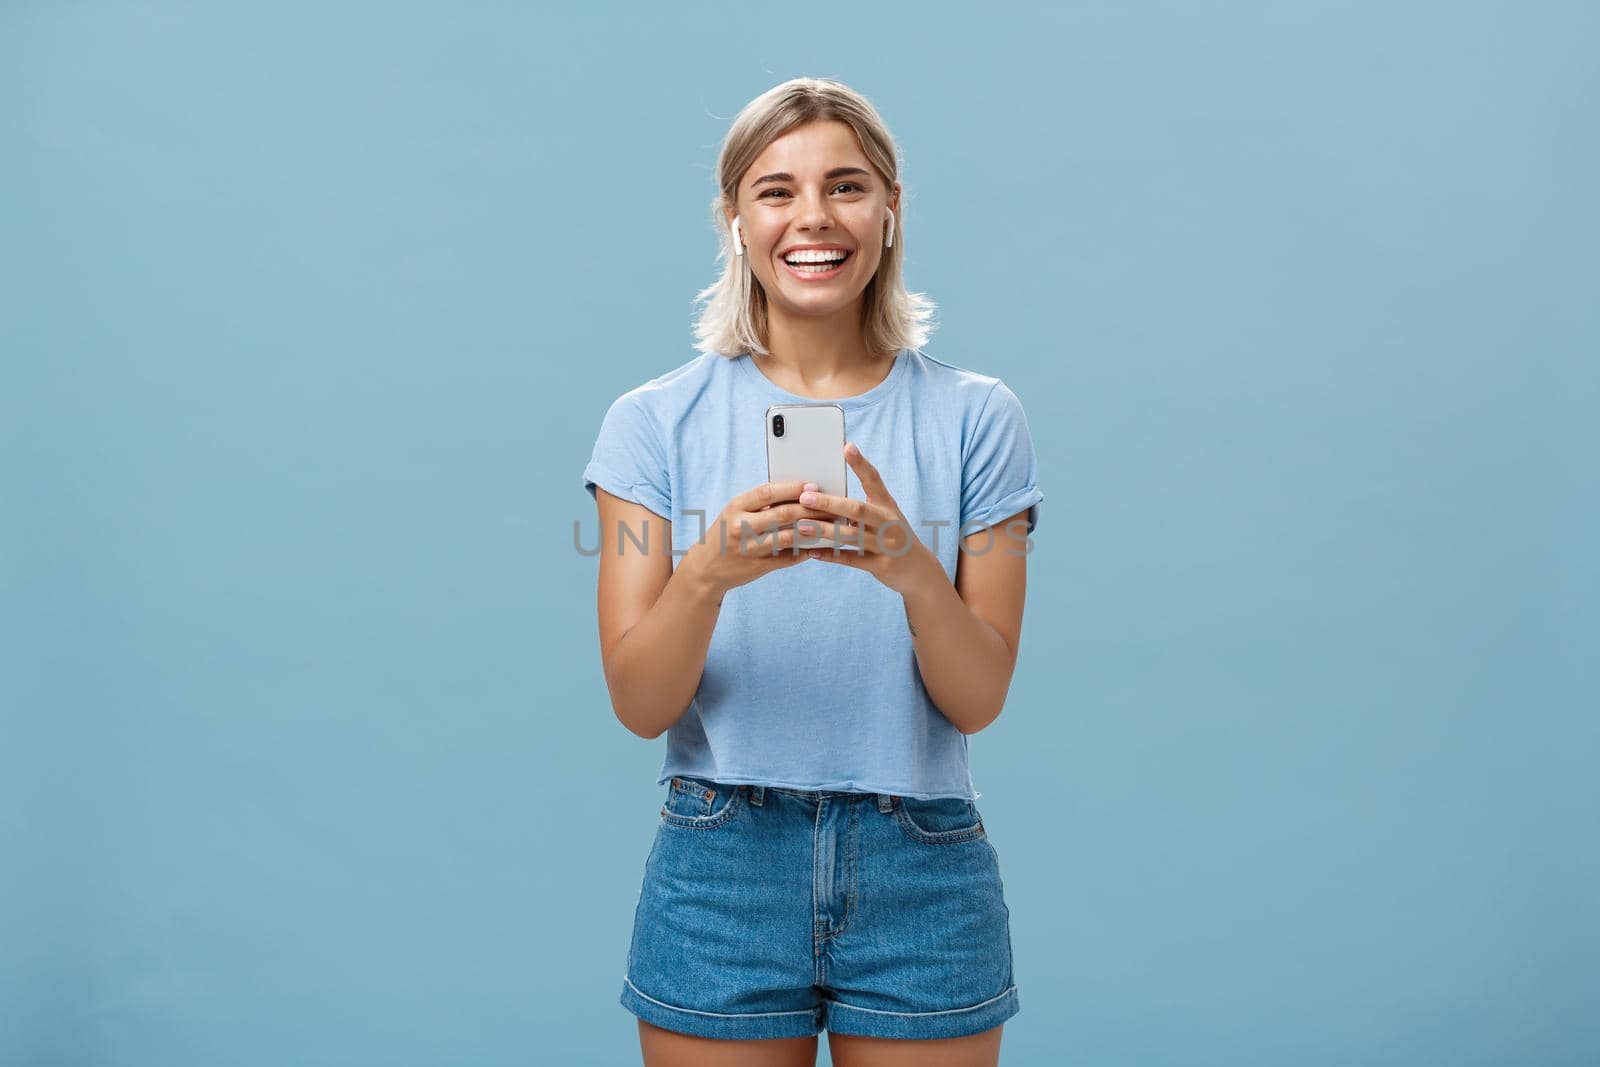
820,861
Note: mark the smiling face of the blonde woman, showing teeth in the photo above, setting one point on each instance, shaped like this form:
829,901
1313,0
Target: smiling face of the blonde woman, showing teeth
814,186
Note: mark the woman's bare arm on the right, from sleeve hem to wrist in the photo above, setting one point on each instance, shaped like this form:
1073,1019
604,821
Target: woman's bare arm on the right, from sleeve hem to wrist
967,634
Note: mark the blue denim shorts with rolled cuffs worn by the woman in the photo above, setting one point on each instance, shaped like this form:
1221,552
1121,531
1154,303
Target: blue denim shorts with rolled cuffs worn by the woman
774,913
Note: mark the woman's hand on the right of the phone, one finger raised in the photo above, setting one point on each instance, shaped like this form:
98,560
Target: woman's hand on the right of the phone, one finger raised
889,548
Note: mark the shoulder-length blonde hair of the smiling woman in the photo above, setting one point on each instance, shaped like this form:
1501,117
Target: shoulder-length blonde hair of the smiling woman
735,314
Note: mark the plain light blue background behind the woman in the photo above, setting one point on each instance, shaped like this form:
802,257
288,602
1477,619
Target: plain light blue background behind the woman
310,319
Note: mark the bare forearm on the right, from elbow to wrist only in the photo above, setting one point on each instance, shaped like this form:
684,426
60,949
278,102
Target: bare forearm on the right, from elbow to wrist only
966,665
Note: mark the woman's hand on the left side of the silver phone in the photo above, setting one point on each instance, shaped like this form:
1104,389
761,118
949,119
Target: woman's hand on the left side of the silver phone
742,545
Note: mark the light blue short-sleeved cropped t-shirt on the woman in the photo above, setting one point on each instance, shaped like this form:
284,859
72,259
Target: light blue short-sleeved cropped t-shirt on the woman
810,679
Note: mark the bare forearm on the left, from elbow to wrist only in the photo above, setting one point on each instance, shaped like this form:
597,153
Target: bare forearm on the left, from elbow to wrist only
657,666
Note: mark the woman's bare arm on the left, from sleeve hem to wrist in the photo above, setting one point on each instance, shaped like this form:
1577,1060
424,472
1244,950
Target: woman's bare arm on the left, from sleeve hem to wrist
655,623
